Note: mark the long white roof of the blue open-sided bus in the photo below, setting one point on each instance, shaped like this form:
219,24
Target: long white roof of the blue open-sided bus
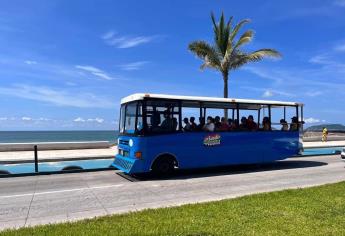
141,96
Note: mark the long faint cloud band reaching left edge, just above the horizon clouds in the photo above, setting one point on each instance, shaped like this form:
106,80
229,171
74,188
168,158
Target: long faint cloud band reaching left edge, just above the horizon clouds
57,96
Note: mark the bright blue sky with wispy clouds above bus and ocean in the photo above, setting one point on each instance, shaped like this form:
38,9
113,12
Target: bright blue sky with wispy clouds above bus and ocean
65,65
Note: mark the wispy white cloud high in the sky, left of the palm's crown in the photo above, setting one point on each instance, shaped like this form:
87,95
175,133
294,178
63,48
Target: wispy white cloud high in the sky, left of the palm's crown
112,39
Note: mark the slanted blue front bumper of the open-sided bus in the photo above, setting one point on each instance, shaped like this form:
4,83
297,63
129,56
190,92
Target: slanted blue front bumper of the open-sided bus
127,165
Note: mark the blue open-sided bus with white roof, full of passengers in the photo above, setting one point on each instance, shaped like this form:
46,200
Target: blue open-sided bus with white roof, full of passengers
156,135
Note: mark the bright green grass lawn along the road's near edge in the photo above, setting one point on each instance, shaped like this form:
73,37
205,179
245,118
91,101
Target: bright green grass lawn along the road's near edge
311,211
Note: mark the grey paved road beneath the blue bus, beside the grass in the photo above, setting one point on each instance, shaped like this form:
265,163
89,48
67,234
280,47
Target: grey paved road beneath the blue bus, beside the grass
36,200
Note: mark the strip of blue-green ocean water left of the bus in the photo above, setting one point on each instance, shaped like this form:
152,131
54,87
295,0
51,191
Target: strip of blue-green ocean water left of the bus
56,136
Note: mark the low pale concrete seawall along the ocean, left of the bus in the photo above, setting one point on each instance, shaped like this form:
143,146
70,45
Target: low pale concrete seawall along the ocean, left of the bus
7,147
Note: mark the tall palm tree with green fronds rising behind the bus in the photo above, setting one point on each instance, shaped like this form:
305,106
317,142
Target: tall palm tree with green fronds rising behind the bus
225,53
